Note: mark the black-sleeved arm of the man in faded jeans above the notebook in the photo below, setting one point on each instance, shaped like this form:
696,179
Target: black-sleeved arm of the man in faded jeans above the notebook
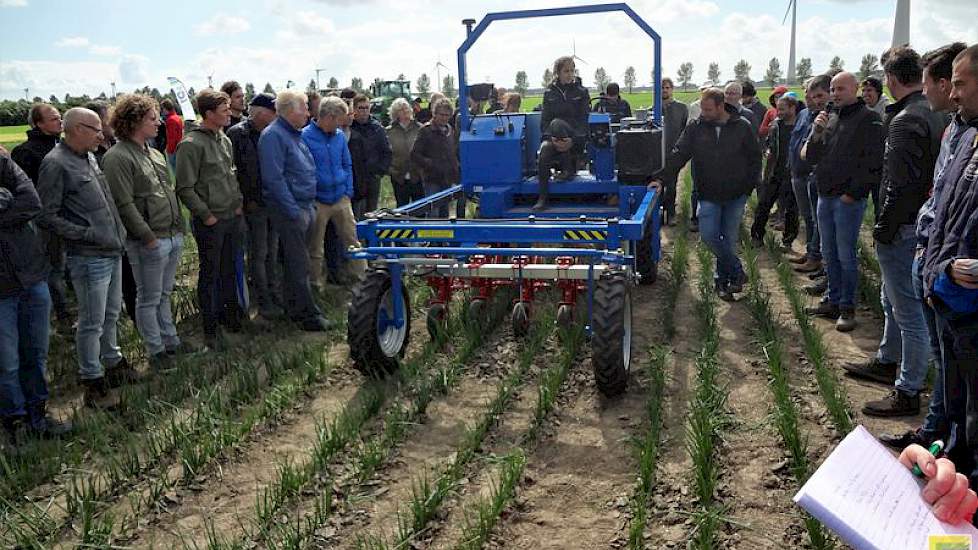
903,173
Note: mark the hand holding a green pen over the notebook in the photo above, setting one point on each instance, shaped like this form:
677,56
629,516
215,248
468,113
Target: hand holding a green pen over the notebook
947,490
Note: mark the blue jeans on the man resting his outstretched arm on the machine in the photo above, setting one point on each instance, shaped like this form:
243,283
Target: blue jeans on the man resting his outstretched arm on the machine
720,230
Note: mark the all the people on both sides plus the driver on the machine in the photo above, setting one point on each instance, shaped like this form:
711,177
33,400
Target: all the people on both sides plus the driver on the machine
98,197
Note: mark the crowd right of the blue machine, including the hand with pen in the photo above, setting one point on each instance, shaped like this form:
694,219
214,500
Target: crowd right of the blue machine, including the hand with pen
821,159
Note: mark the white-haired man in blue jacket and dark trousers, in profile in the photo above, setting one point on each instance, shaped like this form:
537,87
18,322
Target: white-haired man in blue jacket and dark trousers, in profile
288,175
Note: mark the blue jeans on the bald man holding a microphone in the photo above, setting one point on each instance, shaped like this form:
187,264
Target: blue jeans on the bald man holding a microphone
838,224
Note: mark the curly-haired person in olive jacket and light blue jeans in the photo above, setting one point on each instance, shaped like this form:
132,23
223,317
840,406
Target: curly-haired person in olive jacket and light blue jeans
141,188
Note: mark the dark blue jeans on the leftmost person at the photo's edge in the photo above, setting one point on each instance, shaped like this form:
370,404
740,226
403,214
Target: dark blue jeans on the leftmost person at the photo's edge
24,326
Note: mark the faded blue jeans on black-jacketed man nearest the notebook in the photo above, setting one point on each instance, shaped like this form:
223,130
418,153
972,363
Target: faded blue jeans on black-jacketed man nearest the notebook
904,329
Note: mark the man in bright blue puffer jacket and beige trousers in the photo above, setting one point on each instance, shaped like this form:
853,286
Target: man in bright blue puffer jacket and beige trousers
334,185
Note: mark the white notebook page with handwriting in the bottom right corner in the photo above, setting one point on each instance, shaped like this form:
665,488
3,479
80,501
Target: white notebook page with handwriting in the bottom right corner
863,494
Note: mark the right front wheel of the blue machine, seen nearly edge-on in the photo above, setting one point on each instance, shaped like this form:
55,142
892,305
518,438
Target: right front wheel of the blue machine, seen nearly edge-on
611,334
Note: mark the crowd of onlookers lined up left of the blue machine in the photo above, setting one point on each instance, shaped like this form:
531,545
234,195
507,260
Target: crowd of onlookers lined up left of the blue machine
100,196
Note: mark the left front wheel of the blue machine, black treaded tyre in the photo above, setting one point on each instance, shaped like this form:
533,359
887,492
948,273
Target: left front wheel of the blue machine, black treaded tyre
376,351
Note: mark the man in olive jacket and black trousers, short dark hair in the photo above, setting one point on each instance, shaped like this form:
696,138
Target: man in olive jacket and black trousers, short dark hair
206,184
